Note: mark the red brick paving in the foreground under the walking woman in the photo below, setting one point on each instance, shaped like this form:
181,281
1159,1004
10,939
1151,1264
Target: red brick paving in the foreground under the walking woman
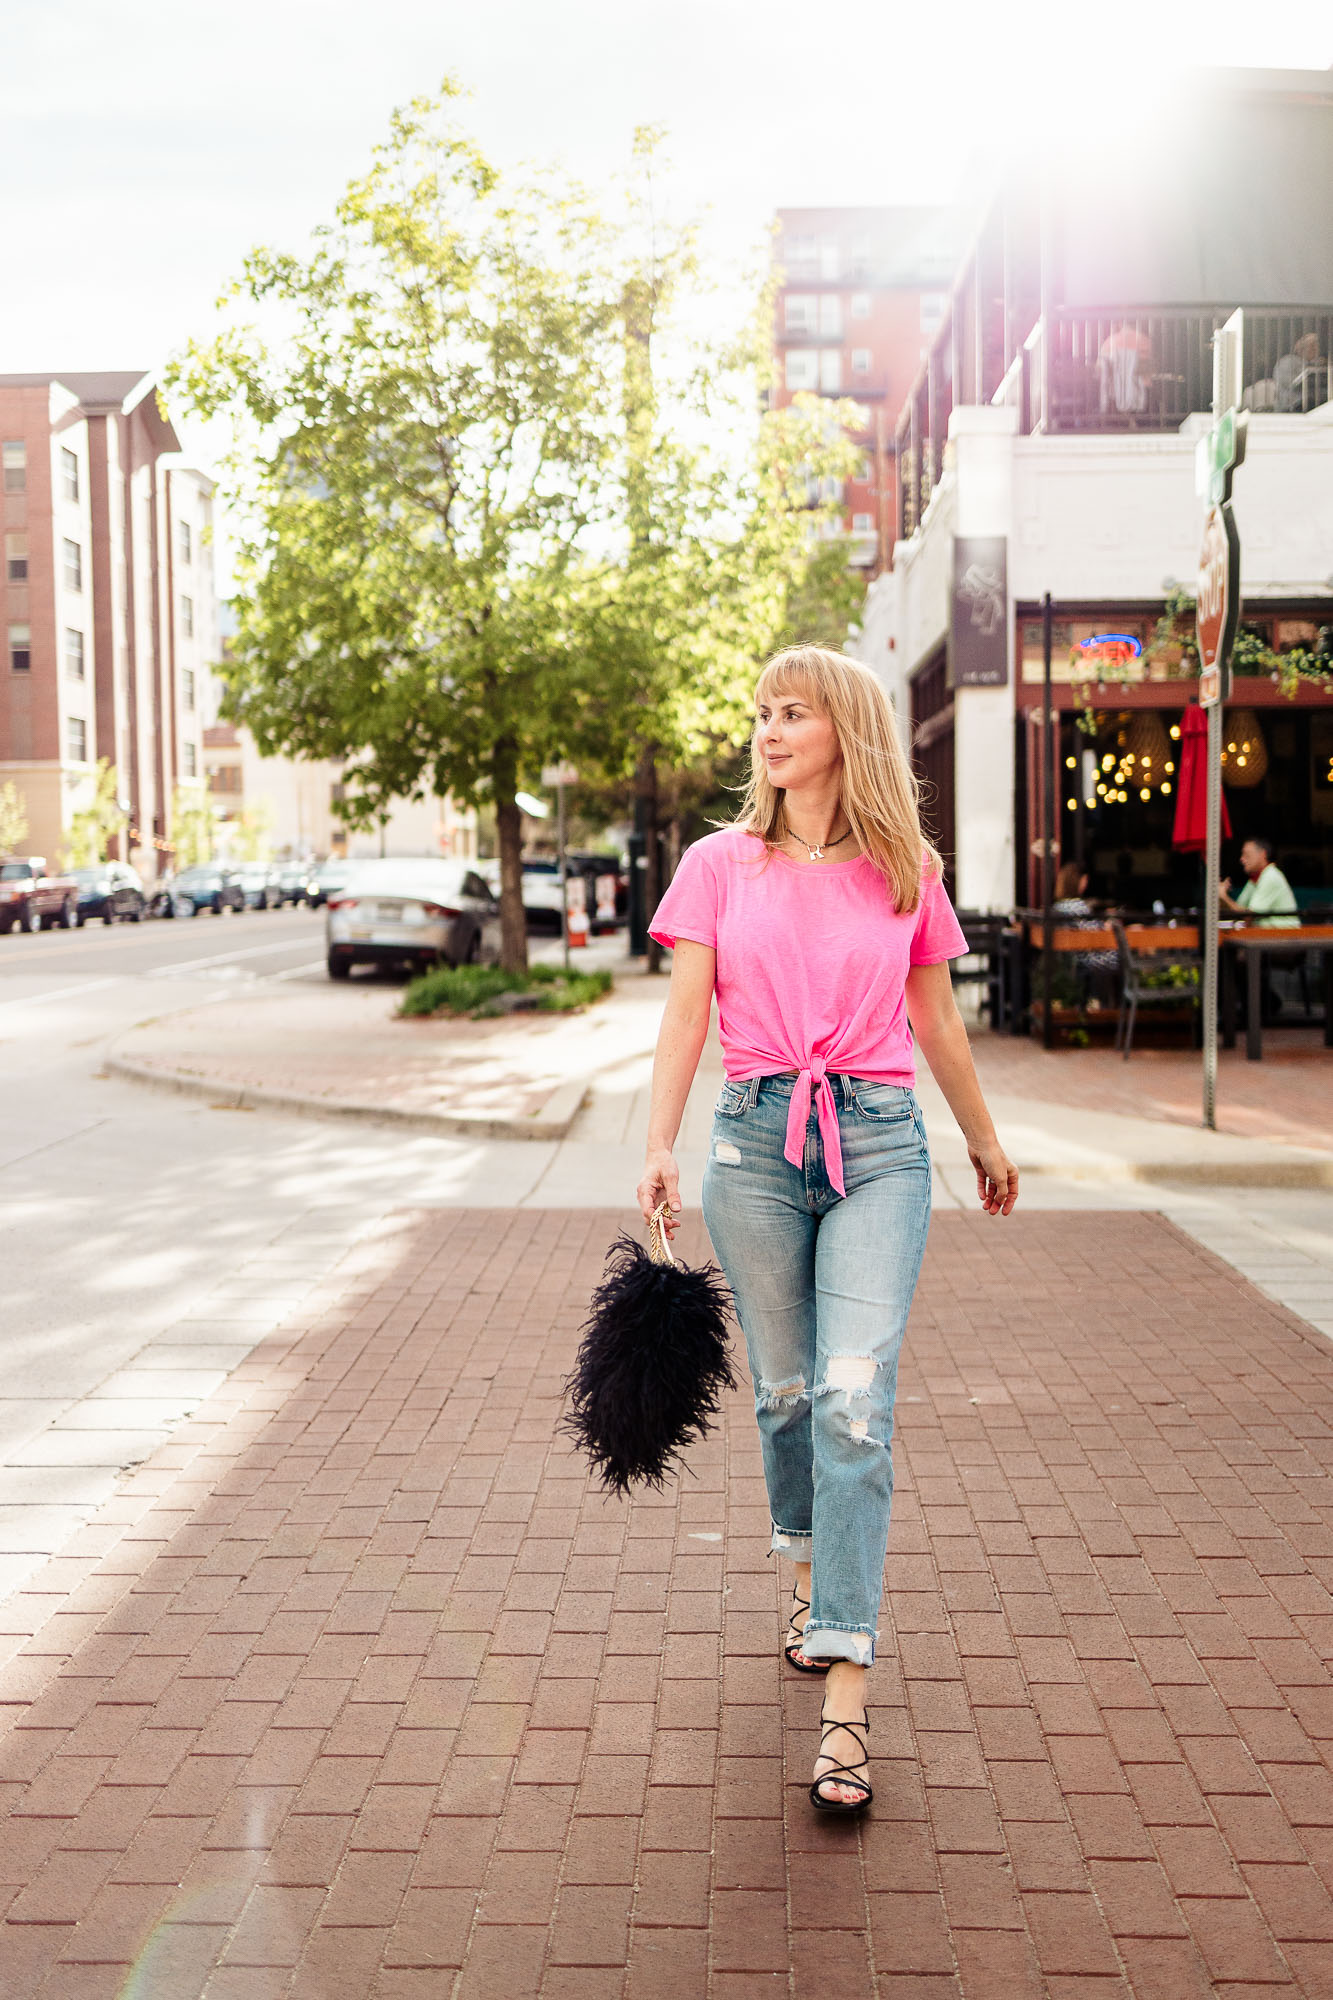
359,1683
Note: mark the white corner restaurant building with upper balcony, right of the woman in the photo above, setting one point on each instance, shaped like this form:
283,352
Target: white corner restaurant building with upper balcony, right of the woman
1048,447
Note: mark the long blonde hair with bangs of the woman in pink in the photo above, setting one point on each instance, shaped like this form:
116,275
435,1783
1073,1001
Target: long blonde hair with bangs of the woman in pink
880,793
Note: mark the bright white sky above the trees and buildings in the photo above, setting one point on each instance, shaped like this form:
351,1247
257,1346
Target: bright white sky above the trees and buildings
147,145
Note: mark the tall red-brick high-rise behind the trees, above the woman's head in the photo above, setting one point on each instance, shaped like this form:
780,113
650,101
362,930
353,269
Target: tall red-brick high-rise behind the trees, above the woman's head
860,299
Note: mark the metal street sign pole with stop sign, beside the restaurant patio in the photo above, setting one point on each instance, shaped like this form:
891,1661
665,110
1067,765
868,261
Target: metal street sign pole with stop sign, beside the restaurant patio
1218,617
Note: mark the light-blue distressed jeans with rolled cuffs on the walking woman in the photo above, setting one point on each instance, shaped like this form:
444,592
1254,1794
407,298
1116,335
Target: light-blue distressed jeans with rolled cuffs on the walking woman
824,1287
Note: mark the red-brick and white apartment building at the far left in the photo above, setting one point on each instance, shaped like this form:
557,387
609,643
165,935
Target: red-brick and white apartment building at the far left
107,605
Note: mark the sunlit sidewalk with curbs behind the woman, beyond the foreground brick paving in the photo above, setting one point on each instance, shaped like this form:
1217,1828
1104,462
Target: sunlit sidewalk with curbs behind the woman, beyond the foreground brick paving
1080,1115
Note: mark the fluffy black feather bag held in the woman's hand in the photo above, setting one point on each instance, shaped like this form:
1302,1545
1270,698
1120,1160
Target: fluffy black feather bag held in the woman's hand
653,1363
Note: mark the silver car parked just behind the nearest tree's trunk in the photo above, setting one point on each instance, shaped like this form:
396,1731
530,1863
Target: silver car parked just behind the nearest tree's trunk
415,913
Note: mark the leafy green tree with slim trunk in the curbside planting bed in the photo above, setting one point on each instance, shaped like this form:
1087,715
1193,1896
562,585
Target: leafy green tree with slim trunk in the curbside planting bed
423,447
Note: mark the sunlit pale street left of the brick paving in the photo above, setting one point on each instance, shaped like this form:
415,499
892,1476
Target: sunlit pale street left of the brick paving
151,1241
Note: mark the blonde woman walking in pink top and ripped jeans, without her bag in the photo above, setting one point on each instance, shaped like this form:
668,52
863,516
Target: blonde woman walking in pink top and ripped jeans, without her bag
822,925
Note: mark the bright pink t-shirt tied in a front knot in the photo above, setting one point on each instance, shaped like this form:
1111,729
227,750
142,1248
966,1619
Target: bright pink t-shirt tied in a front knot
812,969
